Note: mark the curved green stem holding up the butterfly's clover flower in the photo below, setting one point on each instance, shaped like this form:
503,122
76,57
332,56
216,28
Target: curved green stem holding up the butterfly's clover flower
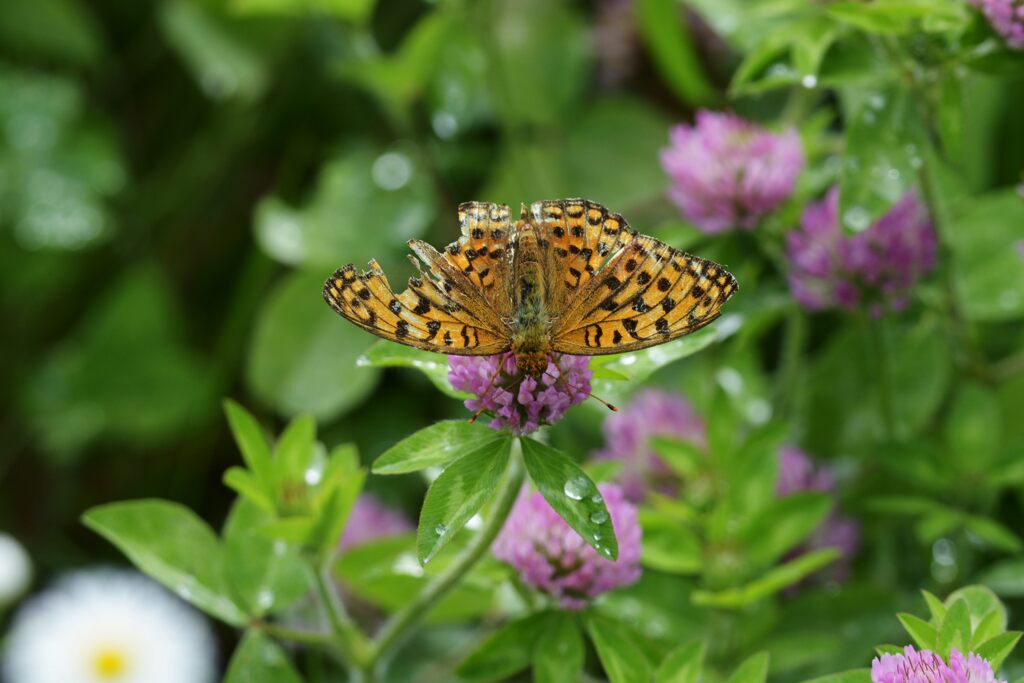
402,621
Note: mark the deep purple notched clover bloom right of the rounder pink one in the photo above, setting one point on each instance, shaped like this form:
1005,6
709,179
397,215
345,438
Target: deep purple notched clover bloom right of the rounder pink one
877,268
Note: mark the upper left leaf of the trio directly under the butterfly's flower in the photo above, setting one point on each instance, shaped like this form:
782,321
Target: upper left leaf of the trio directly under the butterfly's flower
436,446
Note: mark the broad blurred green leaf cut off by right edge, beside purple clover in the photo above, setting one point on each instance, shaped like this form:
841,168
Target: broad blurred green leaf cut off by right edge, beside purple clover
987,268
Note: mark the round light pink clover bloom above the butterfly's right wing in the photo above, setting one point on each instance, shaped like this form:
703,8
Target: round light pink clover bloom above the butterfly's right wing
728,173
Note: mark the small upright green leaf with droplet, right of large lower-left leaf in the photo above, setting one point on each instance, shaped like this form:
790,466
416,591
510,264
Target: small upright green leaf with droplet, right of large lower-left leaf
265,576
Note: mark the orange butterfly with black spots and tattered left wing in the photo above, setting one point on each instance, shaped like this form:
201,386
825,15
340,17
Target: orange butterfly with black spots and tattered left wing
570,277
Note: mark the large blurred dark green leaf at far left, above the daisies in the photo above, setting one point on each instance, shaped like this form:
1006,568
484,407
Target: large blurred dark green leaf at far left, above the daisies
142,389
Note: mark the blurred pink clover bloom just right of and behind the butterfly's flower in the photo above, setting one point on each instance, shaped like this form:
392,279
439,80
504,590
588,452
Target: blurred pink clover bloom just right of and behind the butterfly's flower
627,434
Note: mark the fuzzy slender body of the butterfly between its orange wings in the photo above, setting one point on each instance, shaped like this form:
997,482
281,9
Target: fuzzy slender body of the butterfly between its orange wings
531,327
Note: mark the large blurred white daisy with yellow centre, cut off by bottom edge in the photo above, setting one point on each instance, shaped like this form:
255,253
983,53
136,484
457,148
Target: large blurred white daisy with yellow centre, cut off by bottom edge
108,627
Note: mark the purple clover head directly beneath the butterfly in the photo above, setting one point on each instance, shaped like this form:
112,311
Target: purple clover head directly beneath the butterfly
520,403
